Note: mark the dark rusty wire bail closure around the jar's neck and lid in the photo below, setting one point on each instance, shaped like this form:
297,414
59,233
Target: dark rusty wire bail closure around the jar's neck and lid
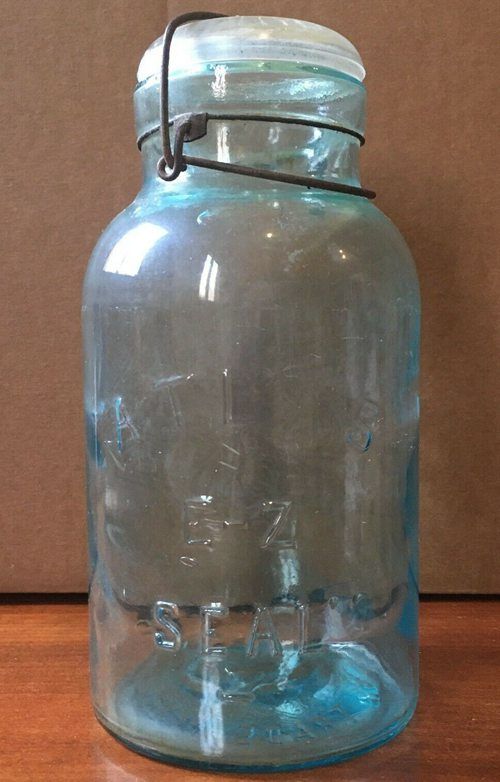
192,126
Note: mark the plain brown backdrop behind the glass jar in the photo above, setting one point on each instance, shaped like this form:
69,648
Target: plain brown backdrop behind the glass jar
69,164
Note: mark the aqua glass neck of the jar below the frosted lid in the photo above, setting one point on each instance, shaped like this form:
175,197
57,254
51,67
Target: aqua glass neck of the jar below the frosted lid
293,149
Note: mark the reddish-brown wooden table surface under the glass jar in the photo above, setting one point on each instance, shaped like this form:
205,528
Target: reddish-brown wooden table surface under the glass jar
48,731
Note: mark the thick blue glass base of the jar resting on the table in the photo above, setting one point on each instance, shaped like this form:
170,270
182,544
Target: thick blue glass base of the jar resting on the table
356,707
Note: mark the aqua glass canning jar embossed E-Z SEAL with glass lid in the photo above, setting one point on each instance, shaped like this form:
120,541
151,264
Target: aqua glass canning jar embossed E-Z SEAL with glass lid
251,367
